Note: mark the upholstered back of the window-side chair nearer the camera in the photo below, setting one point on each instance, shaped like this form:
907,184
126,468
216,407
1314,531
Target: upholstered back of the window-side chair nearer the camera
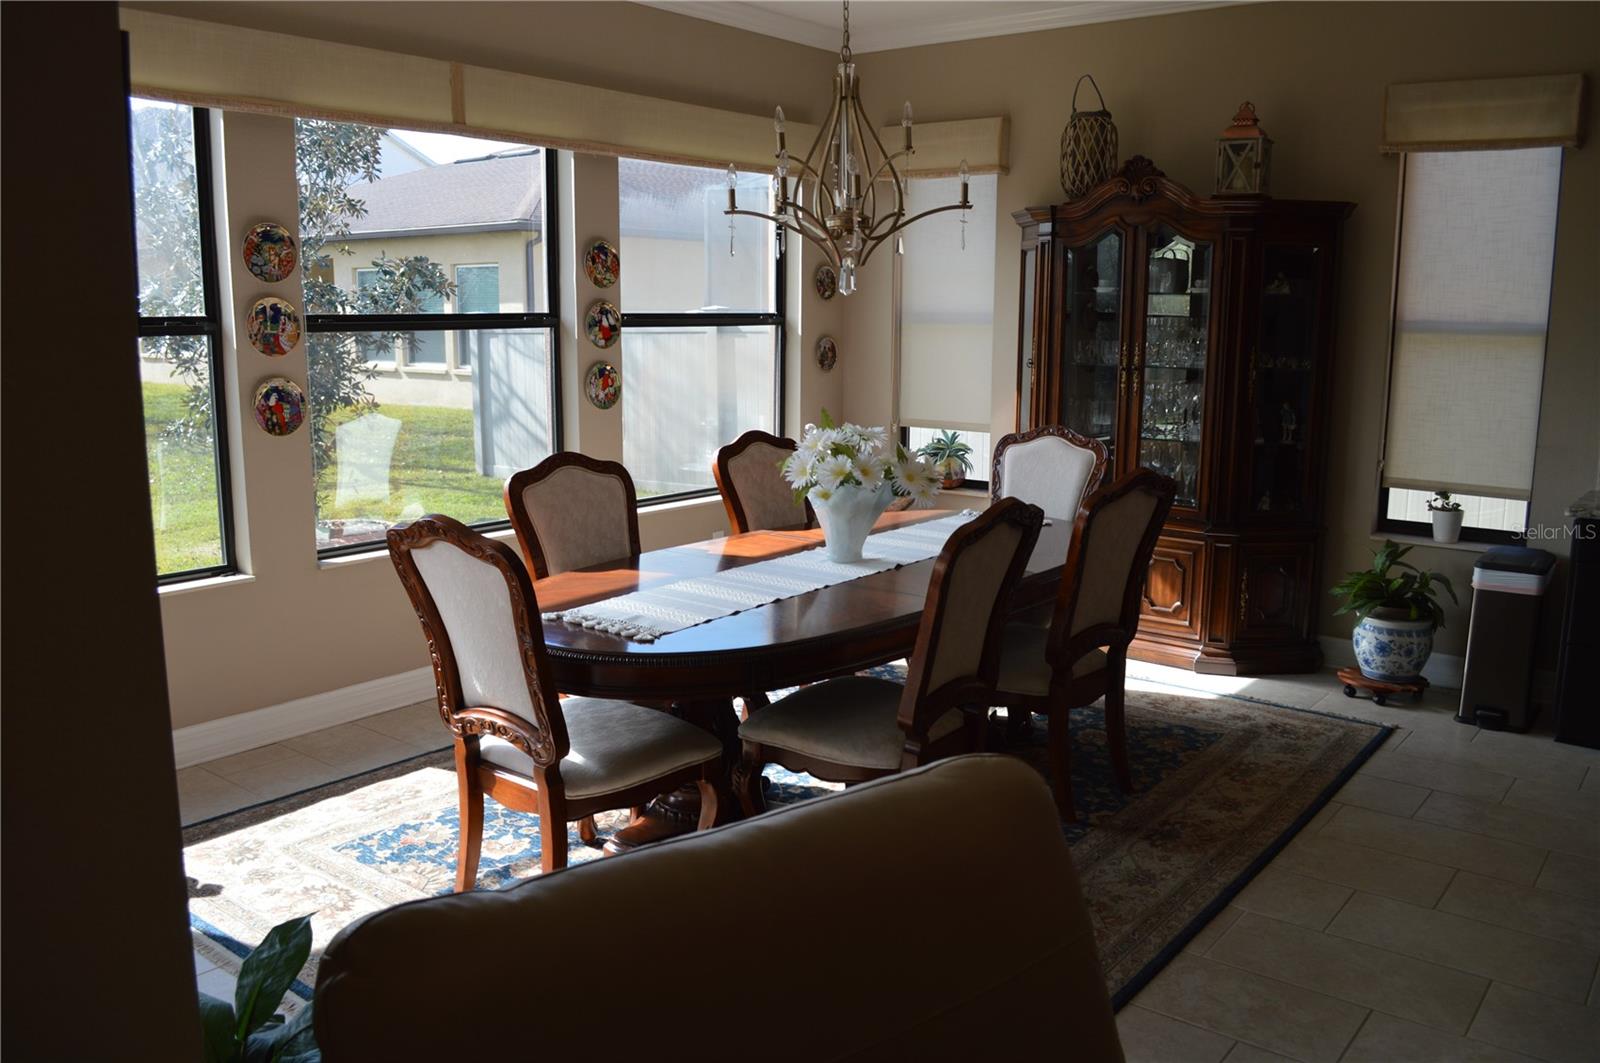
572,511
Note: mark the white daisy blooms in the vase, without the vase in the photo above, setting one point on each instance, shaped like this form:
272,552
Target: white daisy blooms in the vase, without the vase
834,459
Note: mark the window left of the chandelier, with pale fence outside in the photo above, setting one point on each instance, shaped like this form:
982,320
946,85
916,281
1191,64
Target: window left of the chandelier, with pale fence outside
705,323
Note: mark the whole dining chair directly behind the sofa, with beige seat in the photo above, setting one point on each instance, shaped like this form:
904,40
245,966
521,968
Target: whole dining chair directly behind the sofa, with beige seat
860,728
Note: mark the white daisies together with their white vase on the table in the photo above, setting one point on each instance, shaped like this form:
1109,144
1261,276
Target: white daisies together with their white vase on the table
850,475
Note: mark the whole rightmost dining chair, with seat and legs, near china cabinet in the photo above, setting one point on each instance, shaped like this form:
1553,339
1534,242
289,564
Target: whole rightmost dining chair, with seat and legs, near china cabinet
1082,656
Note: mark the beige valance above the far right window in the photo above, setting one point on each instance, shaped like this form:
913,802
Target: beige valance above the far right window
1486,114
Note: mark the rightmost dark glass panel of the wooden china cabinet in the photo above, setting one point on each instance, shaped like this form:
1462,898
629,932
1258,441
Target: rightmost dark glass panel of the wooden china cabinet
1282,371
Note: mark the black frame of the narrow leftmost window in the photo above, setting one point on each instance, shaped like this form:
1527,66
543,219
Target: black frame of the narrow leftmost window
209,326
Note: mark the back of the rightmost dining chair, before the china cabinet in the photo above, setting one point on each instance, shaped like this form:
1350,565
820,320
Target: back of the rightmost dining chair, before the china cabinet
1098,604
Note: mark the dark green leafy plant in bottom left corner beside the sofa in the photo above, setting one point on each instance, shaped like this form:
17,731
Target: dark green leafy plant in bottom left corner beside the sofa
250,1030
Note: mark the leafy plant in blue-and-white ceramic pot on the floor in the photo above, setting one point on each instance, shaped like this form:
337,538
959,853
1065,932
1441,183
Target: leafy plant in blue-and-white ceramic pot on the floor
1399,611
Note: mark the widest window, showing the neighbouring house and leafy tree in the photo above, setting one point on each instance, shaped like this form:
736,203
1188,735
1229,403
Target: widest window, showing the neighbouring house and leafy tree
414,275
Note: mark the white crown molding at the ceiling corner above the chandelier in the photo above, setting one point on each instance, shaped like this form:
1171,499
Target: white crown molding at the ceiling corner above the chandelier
769,23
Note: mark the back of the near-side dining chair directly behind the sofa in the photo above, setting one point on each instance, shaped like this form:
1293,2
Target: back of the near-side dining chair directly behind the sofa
958,654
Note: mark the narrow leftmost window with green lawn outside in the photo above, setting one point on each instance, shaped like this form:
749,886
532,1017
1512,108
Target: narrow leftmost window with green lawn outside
180,351
